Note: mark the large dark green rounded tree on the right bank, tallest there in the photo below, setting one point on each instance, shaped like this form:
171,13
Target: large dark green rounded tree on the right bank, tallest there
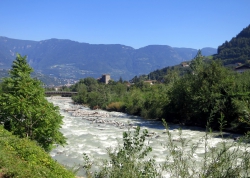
208,90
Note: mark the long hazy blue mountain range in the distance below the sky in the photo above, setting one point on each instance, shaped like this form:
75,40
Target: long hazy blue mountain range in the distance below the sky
74,60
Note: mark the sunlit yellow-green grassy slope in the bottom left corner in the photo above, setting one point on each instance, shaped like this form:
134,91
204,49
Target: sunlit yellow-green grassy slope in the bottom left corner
24,158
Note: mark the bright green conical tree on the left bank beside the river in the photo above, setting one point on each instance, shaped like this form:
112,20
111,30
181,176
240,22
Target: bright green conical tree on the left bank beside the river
24,109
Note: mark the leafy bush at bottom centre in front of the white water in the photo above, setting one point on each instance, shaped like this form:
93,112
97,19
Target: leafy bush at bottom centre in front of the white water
129,160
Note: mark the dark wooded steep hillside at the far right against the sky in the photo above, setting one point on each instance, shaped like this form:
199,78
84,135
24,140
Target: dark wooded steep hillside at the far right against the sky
237,49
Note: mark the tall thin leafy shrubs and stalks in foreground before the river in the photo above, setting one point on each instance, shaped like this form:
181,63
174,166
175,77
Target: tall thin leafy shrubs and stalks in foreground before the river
131,160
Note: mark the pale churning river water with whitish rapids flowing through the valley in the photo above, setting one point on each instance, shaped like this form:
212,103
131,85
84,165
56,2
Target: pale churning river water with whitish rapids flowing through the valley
93,131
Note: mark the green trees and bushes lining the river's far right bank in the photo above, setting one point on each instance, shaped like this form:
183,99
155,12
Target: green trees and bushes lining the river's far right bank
207,90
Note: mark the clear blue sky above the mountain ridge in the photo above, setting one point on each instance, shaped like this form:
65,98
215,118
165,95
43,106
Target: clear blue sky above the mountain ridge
136,23
